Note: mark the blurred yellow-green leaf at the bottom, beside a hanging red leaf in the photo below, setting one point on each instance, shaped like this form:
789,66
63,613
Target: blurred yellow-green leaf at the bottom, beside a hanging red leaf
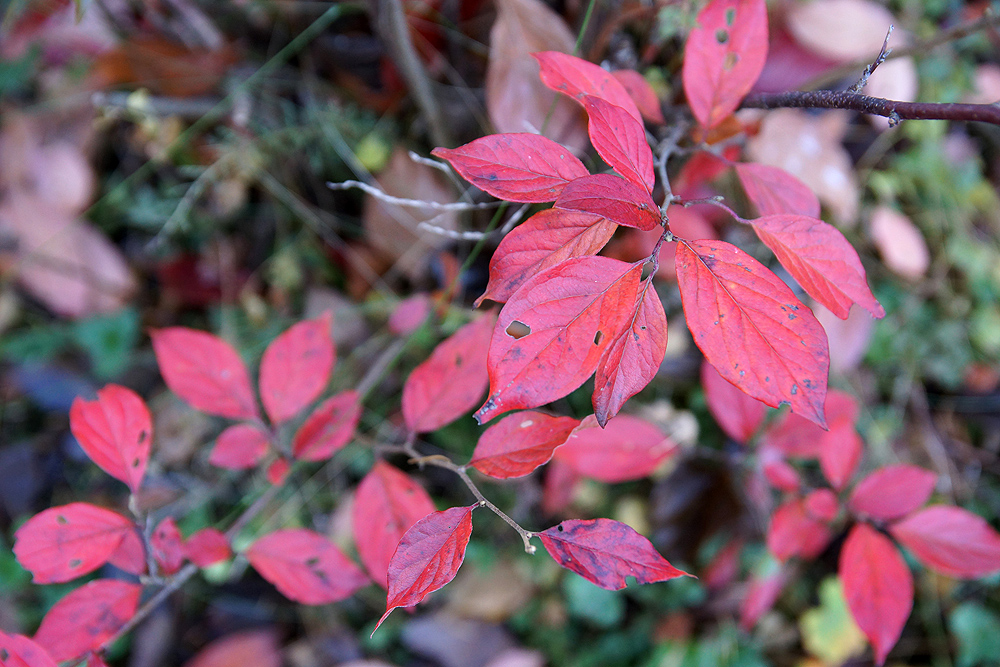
829,631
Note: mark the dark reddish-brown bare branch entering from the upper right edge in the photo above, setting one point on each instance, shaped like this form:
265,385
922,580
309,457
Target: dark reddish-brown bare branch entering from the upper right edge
893,110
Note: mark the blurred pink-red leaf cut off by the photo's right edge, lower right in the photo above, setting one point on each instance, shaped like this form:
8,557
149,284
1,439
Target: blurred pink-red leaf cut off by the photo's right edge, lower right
951,540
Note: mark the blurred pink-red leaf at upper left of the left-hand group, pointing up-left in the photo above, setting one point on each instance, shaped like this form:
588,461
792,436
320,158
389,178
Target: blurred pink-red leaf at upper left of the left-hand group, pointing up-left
205,371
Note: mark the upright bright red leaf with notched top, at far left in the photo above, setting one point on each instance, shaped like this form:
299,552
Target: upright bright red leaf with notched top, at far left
115,431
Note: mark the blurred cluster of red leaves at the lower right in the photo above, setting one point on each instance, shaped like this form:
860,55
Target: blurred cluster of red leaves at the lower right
888,502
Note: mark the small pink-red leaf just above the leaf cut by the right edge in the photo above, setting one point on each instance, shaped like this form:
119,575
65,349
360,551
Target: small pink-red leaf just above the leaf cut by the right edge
892,492
